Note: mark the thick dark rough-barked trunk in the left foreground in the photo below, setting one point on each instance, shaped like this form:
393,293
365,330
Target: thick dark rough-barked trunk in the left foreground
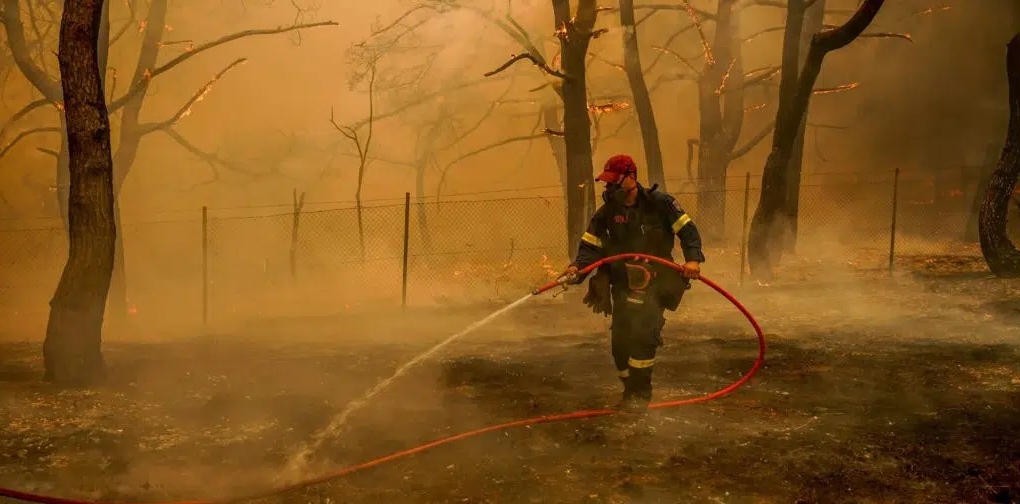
73,354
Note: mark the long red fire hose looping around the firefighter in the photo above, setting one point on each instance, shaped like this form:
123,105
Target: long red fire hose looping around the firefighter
42,499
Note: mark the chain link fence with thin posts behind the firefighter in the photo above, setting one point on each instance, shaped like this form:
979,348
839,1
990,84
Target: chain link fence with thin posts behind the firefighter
214,269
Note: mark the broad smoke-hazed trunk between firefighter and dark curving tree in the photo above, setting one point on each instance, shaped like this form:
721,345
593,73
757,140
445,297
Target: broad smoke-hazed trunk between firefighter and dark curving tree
721,105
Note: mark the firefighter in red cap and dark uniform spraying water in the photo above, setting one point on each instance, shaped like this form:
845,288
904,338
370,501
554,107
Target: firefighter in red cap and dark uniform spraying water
636,293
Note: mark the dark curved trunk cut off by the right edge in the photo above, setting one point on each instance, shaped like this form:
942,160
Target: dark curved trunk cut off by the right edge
998,249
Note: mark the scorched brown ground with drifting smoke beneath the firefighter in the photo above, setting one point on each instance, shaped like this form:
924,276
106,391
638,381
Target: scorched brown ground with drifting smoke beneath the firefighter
876,390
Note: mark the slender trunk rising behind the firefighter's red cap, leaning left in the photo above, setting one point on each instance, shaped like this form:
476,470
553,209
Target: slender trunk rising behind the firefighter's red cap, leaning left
642,98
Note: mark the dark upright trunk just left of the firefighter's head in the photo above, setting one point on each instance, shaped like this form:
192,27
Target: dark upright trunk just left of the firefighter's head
576,35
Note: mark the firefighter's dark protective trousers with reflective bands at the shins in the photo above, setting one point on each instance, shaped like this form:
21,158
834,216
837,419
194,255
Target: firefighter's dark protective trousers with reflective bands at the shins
637,335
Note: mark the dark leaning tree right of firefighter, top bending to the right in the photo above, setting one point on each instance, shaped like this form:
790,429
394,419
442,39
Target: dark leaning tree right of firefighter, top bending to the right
769,227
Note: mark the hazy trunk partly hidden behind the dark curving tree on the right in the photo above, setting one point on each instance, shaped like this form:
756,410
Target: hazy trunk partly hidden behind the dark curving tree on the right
812,24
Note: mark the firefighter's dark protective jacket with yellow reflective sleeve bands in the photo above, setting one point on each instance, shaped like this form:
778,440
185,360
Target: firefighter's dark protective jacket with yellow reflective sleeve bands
649,227
